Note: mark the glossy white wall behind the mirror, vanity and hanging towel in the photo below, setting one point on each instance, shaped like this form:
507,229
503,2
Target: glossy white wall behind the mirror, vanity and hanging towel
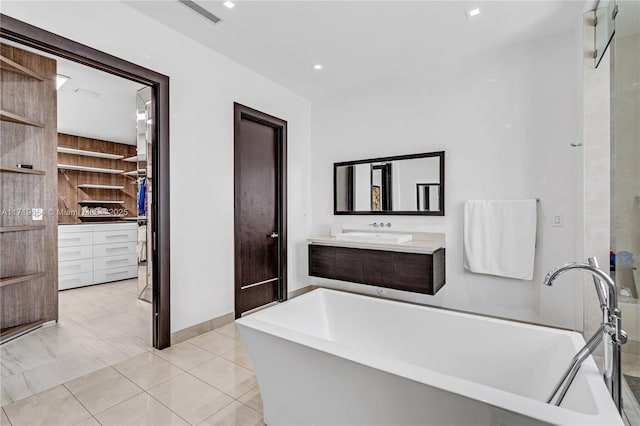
505,120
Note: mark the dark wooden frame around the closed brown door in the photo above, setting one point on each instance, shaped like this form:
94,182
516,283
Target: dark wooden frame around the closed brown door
280,126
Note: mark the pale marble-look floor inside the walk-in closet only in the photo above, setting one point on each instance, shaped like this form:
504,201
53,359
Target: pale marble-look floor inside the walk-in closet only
98,326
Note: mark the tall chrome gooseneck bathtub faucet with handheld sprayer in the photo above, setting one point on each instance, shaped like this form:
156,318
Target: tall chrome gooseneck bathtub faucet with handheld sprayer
610,332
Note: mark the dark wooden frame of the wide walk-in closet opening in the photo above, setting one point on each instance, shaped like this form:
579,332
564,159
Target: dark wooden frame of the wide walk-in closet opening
32,36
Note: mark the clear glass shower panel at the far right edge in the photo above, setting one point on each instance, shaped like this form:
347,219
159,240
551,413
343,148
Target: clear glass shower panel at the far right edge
625,235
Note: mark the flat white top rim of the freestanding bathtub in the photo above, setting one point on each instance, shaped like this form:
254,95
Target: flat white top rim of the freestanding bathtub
604,407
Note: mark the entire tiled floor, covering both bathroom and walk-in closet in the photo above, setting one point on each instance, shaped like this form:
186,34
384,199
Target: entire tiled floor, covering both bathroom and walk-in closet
65,375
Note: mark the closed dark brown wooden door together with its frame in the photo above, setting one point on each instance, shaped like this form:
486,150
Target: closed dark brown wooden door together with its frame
259,209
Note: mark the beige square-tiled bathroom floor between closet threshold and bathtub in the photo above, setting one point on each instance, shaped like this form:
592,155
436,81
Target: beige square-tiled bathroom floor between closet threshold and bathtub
183,385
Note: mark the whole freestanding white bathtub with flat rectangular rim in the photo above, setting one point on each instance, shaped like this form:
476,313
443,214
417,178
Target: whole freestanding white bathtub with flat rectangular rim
335,358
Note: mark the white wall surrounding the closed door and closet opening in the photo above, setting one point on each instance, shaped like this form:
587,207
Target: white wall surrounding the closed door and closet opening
204,86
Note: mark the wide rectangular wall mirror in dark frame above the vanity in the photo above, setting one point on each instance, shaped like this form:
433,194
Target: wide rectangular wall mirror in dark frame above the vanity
401,185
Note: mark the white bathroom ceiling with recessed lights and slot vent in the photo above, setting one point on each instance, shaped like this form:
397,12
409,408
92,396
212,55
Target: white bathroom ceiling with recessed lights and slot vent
362,44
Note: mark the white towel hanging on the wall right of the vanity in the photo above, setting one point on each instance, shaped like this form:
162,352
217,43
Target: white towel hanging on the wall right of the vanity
500,237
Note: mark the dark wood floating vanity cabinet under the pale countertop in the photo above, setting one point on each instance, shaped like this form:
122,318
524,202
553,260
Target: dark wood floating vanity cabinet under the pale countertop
415,272
